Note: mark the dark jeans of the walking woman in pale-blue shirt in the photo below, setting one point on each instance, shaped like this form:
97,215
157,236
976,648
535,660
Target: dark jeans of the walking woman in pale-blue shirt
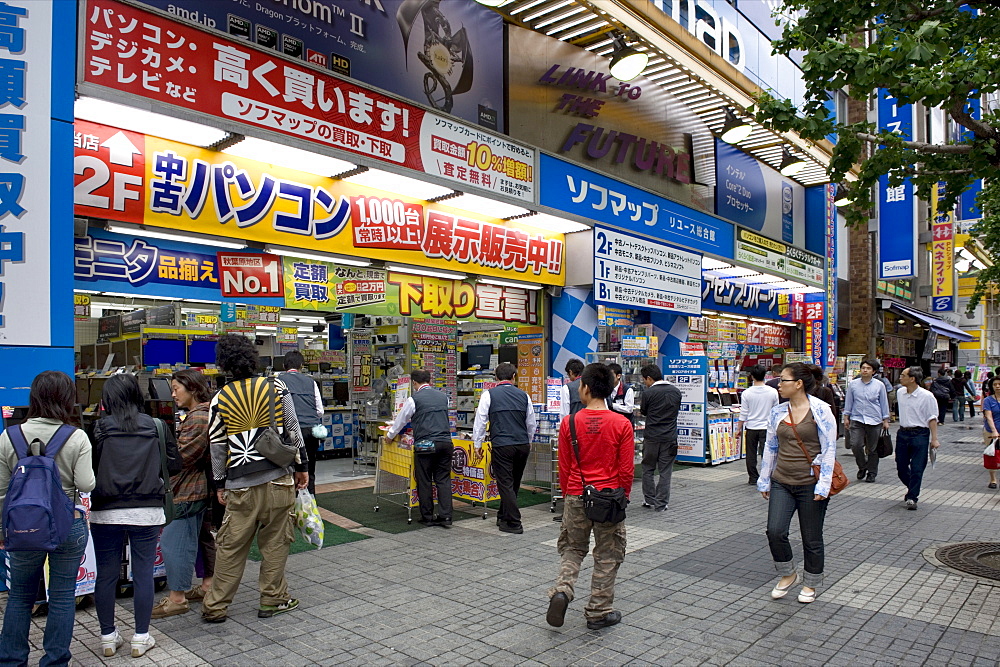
785,500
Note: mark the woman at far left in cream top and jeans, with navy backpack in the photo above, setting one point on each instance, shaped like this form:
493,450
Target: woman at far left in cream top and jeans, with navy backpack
46,454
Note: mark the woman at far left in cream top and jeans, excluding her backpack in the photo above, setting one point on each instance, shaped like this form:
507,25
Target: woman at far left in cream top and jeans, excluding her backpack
51,421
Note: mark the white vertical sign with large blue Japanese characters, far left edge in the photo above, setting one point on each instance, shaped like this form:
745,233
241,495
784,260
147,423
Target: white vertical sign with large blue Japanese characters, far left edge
35,192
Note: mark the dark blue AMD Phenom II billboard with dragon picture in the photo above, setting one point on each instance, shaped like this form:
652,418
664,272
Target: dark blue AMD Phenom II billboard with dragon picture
395,45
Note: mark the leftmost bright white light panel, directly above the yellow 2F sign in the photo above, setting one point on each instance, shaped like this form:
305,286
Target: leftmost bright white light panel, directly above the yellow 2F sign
147,122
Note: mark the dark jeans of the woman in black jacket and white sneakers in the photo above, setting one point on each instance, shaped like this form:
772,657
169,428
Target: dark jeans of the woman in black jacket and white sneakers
109,542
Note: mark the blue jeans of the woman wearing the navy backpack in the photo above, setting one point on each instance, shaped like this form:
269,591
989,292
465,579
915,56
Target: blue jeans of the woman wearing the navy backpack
25,574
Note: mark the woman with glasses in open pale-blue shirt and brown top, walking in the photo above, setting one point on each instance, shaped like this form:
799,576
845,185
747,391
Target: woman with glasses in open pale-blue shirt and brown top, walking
787,481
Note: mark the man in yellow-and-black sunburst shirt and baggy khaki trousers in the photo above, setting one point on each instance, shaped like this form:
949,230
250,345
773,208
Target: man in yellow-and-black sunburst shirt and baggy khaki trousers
258,493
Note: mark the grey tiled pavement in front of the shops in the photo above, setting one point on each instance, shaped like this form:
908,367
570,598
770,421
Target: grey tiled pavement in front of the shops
694,588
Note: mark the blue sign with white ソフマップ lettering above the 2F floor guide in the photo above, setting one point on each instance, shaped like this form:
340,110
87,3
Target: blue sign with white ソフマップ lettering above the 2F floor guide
567,187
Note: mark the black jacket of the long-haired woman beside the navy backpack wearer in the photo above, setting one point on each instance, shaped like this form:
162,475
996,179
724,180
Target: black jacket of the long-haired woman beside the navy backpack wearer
127,465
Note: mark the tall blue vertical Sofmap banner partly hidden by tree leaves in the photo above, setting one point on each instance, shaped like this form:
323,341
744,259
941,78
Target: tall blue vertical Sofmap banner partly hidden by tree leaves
897,237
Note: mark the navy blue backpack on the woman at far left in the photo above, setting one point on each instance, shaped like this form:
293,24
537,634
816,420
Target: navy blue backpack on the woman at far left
37,515
